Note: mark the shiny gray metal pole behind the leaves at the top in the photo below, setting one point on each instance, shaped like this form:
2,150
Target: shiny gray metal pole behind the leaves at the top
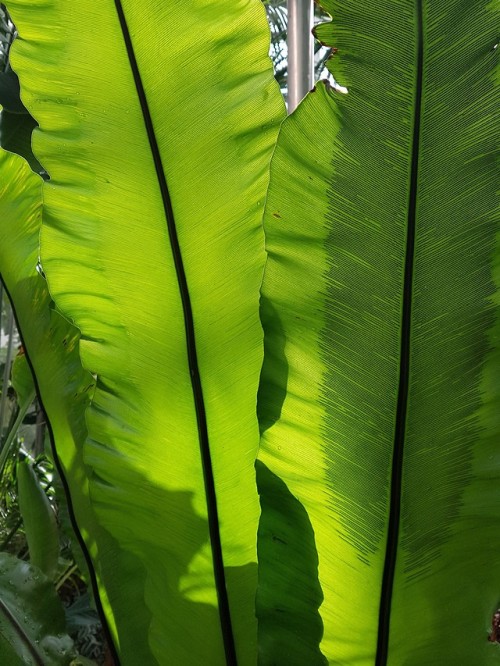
300,51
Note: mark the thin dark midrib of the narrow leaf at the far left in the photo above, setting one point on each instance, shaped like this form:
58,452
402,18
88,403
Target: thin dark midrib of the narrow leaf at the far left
69,502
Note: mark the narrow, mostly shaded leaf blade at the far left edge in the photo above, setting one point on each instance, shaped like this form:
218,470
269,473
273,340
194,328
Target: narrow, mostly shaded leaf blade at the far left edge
51,343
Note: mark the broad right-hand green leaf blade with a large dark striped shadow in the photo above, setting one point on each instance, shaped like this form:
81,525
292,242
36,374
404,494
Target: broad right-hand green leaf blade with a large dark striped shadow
344,191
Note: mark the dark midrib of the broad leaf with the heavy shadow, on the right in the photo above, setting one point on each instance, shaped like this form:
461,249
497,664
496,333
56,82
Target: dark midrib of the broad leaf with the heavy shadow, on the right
402,403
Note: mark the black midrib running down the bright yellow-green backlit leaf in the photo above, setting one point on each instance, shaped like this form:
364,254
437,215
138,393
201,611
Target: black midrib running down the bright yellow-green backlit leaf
201,418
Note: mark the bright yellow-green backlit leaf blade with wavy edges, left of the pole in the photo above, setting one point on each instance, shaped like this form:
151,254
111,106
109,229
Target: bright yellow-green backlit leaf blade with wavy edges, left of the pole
108,258
